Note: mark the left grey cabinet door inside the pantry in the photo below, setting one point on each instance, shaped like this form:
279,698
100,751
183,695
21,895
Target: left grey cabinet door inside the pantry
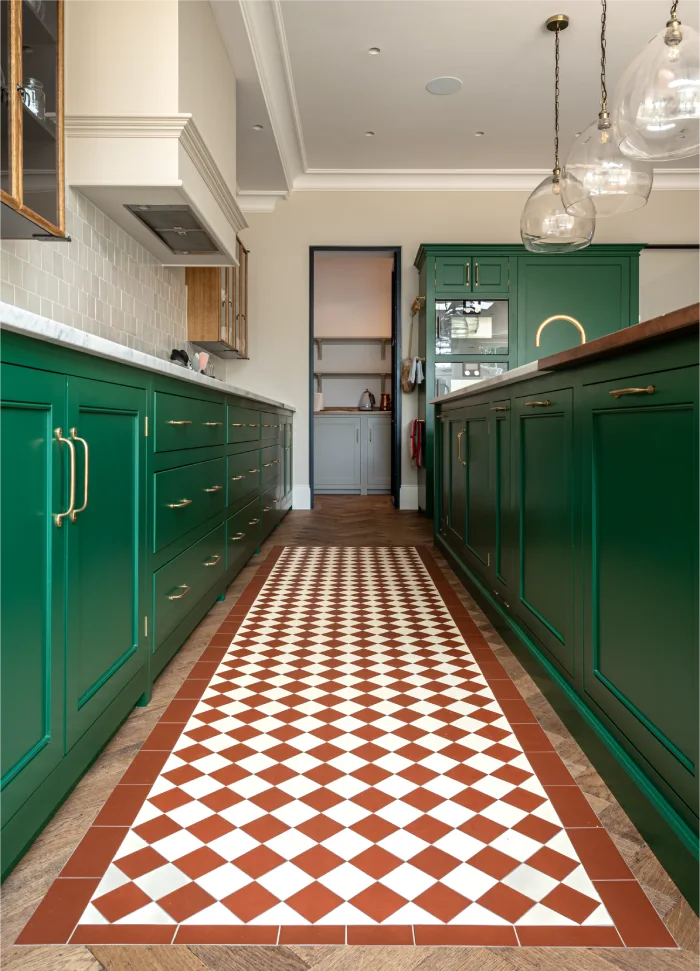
337,465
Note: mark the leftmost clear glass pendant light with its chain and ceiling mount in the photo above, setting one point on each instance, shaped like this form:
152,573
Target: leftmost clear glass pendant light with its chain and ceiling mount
545,225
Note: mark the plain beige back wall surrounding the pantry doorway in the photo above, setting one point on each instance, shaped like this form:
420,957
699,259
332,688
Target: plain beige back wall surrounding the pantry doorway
279,280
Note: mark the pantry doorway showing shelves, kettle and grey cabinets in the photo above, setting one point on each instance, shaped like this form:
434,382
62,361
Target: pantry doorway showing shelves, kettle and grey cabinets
354,370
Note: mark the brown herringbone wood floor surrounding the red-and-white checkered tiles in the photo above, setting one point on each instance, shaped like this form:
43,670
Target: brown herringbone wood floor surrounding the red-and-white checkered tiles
336,521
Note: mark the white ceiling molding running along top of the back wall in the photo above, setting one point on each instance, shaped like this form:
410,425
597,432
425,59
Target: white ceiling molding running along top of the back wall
458,180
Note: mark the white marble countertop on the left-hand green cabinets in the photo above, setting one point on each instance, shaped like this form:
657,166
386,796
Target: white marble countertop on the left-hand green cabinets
43,328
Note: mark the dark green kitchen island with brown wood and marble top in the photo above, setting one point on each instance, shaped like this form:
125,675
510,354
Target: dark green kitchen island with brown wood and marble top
567,496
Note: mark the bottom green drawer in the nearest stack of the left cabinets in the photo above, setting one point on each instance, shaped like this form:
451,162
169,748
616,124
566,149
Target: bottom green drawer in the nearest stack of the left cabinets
180,584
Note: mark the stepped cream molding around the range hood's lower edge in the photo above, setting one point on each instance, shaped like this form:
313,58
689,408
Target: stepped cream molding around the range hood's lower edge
181,128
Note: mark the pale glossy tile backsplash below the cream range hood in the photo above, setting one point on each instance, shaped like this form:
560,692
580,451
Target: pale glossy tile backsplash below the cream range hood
103,282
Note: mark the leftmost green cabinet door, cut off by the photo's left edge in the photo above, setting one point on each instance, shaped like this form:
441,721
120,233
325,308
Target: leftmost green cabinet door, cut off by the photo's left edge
33,487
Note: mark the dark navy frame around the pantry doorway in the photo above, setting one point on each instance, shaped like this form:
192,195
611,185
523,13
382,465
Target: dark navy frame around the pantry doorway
395,360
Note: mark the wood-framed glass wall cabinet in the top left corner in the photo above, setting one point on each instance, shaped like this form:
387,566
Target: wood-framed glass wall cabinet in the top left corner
32,182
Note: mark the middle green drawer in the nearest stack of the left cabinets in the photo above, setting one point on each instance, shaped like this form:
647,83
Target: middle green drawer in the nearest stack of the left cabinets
186,497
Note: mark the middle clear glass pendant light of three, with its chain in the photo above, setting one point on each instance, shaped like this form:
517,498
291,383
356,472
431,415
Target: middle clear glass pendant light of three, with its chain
597,169
